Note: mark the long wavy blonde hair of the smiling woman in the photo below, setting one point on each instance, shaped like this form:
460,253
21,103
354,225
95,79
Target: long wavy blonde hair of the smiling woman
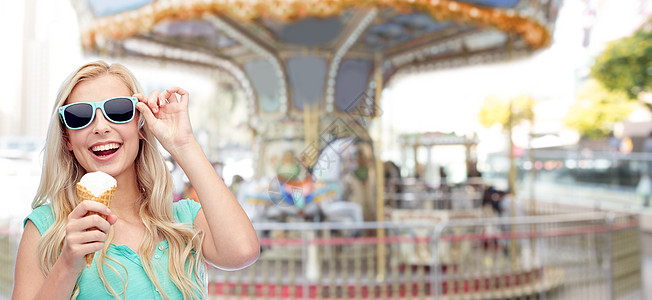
61,172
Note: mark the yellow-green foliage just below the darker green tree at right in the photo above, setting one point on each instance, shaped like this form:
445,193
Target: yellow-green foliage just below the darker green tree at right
597,109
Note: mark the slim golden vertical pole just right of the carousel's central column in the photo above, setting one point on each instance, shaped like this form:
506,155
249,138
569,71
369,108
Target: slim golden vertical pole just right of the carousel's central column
380,190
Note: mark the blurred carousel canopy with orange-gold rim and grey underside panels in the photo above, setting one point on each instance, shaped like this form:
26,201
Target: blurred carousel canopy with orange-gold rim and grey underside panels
291,53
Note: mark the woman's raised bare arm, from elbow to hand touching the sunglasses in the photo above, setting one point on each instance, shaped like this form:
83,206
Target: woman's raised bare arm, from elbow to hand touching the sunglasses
230,241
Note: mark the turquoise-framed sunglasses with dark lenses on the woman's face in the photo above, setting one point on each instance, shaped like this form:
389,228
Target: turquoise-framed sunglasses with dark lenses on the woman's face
81,114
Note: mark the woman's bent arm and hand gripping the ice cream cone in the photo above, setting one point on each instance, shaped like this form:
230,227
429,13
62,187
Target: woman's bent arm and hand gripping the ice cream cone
31,283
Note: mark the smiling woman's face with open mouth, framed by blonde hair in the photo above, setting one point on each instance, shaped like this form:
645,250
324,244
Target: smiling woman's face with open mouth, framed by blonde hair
103,145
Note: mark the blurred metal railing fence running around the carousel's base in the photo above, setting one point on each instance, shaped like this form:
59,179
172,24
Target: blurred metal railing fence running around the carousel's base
569,256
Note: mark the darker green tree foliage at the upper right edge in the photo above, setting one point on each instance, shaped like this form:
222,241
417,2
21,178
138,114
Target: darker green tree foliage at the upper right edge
626,64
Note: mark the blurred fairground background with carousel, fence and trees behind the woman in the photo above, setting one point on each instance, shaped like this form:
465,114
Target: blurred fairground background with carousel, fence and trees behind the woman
375,114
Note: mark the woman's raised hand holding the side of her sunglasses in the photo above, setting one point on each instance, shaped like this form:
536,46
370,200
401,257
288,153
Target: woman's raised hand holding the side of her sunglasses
167,117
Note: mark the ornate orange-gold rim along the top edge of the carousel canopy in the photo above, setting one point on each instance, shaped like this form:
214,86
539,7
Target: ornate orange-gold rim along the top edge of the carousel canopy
288,10
